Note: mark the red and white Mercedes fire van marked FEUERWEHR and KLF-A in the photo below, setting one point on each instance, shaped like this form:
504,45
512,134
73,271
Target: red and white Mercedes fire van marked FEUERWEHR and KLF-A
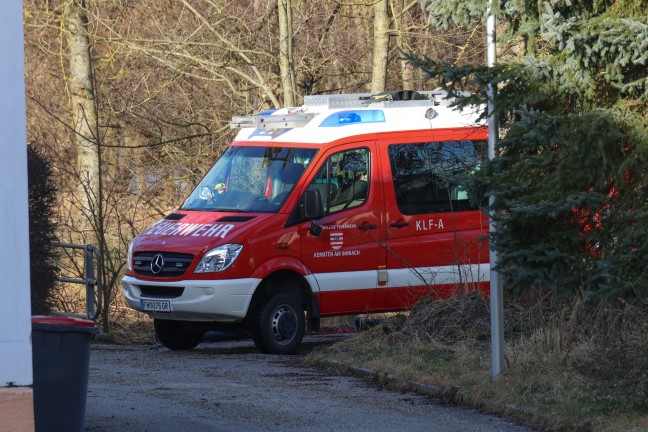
348,204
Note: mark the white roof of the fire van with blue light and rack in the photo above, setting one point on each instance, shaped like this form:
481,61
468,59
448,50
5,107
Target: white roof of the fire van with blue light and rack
326,118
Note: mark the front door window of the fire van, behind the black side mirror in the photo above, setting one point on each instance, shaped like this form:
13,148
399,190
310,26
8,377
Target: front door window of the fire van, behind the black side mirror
343,180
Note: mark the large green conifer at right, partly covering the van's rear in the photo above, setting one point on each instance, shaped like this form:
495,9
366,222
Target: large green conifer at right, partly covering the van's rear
569,180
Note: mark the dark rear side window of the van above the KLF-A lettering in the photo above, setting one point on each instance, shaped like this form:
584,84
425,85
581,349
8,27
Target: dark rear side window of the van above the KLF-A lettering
424,175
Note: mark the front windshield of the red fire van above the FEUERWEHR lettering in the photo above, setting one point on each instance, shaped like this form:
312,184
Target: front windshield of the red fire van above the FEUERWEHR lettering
250,179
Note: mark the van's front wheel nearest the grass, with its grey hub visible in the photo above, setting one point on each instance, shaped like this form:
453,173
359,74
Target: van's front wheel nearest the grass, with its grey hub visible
279,324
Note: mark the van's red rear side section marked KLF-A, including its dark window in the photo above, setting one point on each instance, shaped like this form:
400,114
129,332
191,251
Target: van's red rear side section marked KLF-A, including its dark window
435,235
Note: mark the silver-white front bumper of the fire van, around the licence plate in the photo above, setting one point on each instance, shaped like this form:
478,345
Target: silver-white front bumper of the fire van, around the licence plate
200,300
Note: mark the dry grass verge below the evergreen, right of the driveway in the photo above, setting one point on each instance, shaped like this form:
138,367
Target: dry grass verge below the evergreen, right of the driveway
569,366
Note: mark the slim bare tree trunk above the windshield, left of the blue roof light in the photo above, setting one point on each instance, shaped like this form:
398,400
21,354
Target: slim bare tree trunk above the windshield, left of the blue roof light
286,65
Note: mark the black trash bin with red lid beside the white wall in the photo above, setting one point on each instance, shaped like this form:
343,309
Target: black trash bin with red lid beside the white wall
60,359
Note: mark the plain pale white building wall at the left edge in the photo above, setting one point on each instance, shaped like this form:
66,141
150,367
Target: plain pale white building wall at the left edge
15,309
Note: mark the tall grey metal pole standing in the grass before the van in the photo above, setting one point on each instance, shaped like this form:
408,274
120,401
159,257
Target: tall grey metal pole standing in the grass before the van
496,290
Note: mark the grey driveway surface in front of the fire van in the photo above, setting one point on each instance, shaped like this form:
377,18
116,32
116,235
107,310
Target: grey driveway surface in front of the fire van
230,386
